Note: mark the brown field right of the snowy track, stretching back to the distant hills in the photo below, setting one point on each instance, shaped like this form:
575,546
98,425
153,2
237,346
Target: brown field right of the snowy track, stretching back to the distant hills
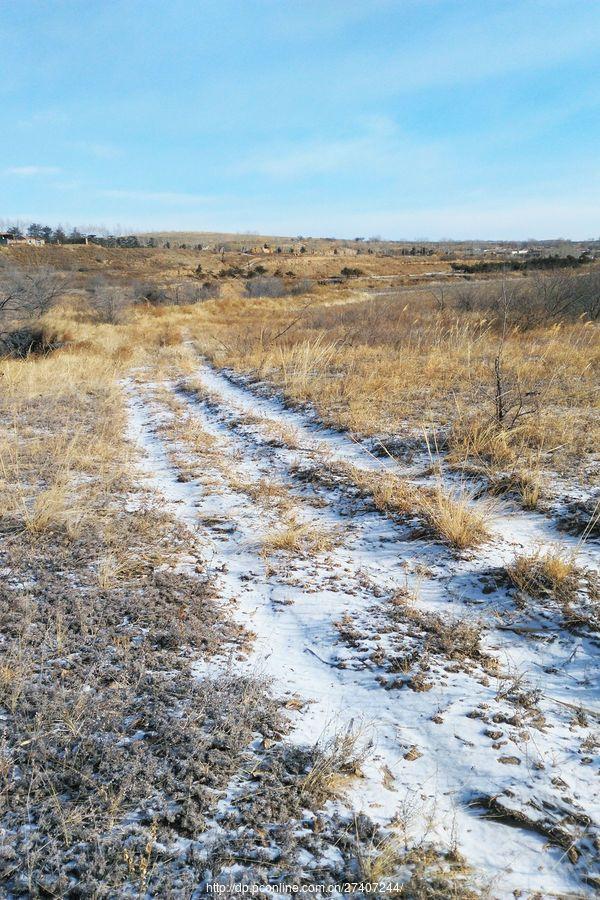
405,362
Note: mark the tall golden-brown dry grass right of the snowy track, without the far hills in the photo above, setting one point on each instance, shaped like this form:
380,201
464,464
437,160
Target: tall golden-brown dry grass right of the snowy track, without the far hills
395,366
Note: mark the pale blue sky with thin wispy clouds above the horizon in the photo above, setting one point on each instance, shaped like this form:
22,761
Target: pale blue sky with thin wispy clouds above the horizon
404,118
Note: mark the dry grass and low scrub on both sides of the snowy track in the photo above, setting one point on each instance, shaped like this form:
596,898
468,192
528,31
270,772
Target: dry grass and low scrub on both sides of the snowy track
116,754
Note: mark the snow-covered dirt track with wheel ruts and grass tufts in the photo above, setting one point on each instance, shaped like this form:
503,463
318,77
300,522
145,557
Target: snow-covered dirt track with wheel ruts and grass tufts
355,616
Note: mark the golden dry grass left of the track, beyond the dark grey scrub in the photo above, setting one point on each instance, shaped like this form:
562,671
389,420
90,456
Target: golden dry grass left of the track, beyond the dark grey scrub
63,452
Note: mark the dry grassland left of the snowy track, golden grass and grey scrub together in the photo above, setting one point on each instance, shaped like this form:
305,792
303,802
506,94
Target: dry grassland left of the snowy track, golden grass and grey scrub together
115,754
